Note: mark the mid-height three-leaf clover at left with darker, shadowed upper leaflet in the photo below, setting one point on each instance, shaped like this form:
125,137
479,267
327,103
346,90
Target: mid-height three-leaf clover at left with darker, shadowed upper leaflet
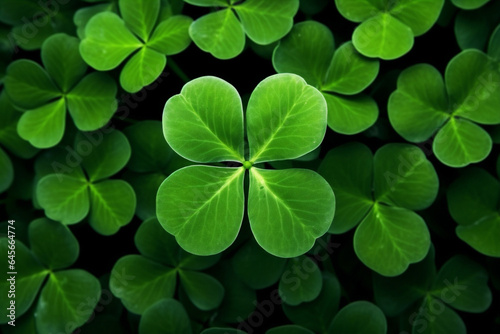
83,188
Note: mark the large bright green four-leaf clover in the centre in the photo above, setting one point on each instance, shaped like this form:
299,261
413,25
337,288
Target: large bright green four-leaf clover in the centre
203,206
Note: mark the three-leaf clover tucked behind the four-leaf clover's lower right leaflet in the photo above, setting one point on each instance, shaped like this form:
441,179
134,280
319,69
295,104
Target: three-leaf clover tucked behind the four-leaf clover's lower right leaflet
380,193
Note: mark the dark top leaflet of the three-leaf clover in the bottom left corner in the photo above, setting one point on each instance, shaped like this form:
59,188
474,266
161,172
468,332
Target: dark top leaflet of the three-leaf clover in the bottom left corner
53,243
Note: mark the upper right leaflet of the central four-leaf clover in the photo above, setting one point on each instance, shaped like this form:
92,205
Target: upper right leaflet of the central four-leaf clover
286,118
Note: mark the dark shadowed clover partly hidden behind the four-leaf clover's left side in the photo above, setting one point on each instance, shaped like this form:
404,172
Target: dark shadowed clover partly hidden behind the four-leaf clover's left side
152,160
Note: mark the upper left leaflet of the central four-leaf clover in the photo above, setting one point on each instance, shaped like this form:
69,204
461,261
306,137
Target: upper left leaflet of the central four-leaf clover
201,128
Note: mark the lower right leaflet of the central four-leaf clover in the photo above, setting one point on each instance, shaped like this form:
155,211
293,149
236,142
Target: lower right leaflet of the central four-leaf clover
289,209
